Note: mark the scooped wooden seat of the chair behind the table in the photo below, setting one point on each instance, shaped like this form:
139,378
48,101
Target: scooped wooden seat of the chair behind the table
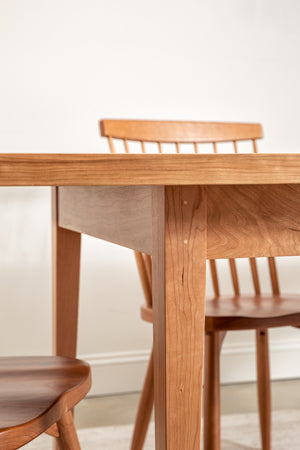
252,312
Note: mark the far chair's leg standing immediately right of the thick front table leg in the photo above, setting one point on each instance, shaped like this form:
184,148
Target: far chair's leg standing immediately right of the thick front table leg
211,415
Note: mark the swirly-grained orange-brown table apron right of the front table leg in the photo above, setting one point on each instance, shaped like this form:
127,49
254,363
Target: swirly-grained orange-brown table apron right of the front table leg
253,221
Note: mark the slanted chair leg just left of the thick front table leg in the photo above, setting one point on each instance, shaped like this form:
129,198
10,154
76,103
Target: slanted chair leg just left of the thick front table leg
144,410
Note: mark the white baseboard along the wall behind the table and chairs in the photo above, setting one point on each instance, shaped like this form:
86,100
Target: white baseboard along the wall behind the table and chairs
121,372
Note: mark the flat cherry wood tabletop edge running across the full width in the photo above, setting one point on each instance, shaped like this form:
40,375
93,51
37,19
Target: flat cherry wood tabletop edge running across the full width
22,169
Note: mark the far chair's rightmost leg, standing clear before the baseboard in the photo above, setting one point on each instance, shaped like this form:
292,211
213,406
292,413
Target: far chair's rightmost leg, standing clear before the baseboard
264,387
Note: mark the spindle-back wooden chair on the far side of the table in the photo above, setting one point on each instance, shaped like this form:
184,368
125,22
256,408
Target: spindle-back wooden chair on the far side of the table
235,312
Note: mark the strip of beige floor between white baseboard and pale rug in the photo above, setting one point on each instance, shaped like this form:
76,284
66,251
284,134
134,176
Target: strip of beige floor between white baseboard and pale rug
235,399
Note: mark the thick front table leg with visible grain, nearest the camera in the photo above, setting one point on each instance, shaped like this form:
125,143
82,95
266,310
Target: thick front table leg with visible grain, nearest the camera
179,274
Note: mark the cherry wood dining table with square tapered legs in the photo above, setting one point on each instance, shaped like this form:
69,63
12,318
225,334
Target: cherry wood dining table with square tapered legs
182,209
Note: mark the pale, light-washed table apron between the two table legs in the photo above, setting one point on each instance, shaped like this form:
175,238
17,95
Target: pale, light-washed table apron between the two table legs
118,214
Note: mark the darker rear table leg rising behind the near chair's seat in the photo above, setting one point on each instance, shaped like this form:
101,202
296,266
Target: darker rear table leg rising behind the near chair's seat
66,266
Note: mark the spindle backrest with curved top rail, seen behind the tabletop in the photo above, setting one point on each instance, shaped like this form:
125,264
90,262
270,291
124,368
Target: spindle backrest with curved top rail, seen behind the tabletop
195,133
